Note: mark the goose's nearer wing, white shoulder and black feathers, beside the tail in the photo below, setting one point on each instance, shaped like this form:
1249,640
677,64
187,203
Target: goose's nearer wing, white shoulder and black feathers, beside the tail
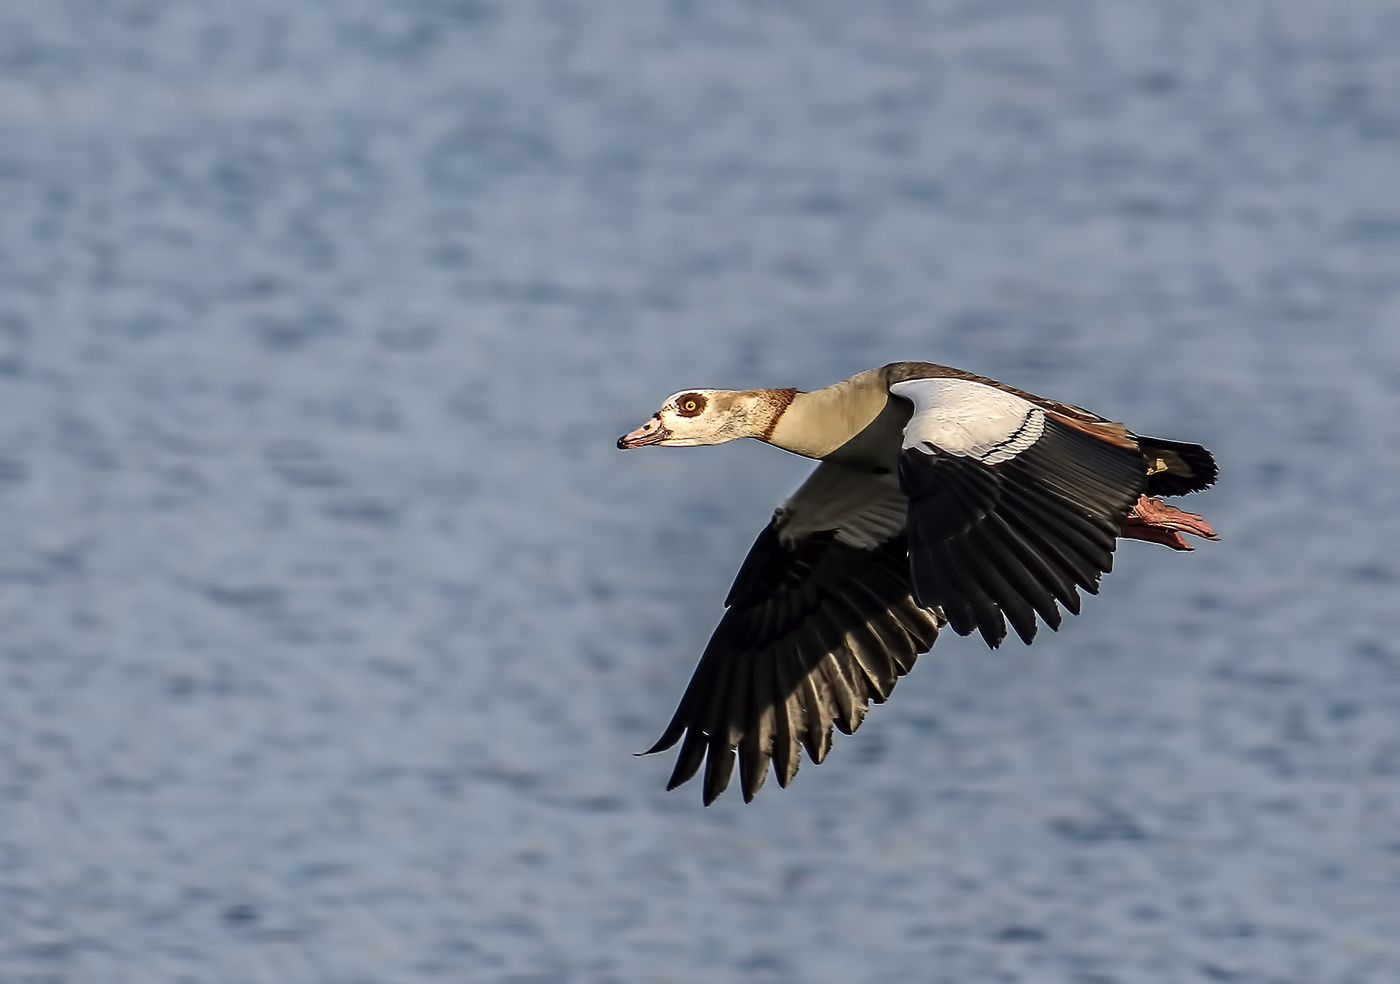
1011,507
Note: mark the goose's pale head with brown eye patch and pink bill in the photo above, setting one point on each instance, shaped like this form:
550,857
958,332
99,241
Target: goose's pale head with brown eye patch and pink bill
710,416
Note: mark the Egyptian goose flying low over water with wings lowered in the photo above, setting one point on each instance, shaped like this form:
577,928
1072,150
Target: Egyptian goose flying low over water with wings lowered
943,498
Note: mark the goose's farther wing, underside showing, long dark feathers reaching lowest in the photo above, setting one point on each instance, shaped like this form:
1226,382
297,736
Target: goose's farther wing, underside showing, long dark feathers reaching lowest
821,621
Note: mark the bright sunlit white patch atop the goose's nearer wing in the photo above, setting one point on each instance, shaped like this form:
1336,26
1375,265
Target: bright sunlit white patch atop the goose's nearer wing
969,419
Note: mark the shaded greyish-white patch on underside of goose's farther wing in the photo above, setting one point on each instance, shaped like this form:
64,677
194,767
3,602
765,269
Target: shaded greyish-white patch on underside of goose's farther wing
863,509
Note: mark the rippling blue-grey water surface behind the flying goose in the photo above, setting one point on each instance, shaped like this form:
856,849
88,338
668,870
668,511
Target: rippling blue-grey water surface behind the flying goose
332,618
